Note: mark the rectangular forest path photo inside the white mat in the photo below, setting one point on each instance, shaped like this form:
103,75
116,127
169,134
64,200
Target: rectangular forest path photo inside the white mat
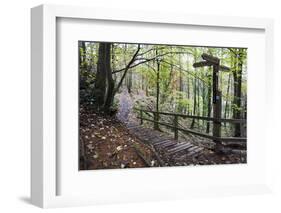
155,105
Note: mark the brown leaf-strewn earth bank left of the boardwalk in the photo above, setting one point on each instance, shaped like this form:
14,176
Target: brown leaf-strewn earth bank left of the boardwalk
107,144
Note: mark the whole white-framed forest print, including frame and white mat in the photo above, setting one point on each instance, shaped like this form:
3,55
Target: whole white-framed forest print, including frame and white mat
147,106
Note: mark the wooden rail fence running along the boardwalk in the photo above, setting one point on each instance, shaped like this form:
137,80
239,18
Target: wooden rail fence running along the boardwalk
176,128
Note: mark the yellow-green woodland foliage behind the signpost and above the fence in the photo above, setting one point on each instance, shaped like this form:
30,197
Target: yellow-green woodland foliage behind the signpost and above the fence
182,87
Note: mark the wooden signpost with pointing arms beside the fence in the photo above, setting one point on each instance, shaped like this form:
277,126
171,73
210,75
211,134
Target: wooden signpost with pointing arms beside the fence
217,103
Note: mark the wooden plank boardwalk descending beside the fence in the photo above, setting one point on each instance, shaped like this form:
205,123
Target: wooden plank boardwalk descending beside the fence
169,149
